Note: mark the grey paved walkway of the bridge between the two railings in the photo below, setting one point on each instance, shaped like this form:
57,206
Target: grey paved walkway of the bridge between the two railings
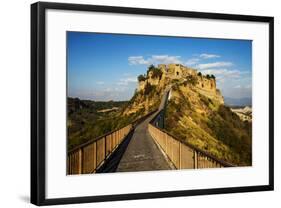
142,153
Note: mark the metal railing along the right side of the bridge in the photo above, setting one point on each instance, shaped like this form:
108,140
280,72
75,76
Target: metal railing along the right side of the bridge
182,154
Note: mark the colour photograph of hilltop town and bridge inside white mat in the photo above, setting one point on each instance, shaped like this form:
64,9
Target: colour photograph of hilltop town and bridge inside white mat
147,102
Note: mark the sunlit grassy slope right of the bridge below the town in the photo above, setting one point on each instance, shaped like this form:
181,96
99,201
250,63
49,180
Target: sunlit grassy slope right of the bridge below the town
208,125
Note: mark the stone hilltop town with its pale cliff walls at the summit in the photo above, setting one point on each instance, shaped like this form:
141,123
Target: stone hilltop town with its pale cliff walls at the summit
157,78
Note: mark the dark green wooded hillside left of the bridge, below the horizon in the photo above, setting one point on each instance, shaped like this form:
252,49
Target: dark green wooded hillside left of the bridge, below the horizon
85,121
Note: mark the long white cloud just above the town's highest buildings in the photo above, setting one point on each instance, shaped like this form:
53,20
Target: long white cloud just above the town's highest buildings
154,59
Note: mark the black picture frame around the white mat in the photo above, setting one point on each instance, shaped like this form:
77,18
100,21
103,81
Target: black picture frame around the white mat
38,98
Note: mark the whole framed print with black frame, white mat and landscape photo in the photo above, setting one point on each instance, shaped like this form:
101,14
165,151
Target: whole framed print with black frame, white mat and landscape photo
134,103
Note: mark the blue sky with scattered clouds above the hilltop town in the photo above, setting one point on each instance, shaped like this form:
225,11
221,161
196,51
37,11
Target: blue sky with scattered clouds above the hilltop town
105,67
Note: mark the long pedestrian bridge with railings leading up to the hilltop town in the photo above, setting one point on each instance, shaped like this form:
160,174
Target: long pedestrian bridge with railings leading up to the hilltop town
140,146
